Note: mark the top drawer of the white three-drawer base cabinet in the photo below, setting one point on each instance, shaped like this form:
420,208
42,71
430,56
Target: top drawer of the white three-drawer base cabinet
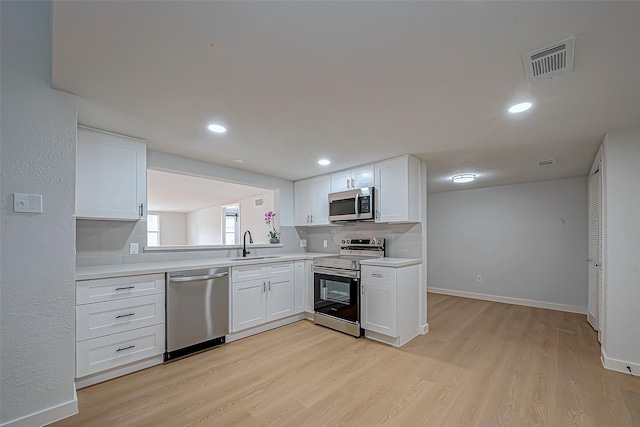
88,291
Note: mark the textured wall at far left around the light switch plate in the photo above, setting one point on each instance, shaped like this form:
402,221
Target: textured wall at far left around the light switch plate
37,308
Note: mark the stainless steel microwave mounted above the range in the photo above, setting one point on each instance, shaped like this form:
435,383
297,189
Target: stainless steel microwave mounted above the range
352,205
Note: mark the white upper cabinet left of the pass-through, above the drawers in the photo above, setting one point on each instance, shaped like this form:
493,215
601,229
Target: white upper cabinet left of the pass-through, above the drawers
111,176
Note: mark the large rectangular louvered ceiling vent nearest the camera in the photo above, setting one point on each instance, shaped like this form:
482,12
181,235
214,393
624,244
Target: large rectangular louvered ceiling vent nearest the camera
549,61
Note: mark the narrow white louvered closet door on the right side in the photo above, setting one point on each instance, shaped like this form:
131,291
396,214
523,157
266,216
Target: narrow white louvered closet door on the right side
594,306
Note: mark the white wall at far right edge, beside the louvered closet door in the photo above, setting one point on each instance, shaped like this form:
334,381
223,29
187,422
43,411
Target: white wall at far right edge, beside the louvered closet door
621,263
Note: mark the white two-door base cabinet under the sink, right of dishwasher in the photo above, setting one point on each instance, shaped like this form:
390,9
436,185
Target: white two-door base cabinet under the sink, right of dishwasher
269,297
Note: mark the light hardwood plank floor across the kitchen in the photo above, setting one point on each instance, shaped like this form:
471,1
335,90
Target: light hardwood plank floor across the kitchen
481,364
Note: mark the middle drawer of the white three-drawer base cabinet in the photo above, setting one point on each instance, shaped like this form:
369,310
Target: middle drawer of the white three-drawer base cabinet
106,318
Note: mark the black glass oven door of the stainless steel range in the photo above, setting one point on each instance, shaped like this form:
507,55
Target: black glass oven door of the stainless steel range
337,293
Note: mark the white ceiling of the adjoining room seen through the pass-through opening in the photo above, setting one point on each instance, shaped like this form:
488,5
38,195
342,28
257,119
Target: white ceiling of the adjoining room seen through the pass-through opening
171,192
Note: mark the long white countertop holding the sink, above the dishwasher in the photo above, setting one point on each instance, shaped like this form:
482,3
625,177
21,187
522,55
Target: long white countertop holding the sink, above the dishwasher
116,270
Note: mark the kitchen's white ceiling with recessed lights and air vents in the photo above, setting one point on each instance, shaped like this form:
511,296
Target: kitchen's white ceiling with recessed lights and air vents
354,82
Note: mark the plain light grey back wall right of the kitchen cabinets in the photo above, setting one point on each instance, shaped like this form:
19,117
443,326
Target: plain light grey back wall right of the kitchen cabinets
528,241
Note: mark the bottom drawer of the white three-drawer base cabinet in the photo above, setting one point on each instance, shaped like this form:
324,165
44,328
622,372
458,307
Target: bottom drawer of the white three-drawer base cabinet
112,351
